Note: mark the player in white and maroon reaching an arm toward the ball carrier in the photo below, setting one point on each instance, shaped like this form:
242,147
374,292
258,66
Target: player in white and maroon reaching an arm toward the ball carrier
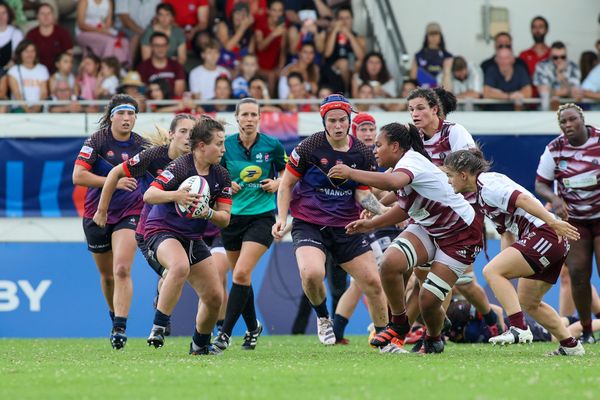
443,230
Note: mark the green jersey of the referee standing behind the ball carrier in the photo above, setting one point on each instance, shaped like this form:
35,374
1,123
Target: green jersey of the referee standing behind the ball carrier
249,167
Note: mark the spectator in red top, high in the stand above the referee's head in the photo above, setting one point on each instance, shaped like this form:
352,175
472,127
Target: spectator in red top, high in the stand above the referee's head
271,32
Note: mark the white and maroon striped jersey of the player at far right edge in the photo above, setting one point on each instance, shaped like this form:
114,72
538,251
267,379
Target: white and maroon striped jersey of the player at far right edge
576,170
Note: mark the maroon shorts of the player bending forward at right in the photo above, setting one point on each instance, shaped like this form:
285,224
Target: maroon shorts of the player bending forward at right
544,253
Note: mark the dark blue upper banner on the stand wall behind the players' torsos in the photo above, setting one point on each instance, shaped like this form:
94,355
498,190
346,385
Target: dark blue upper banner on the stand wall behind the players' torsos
37,172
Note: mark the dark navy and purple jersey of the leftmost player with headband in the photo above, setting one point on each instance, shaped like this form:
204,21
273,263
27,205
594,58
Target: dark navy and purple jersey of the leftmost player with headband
99,154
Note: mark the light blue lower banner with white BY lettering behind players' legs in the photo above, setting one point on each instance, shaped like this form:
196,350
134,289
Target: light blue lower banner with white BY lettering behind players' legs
53,290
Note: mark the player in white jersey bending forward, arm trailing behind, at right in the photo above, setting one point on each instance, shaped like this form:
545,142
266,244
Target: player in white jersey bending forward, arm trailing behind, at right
537,255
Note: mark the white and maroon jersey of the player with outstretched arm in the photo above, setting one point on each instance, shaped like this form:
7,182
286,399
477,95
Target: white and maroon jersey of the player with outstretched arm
429,199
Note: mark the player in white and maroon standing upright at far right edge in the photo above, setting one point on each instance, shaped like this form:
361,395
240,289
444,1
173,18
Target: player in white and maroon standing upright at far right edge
572,161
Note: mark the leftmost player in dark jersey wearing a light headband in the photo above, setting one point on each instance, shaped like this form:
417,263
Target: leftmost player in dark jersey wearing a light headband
112,246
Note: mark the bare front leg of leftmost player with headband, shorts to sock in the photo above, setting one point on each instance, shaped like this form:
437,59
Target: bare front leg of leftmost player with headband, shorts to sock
124,247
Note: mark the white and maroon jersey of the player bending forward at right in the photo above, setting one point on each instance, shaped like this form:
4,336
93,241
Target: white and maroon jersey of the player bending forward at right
496,198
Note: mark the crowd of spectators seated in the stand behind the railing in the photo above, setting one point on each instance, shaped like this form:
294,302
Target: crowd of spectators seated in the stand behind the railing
193,50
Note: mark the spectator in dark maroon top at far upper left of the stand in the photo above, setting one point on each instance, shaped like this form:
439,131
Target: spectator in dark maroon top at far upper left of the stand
49,38
